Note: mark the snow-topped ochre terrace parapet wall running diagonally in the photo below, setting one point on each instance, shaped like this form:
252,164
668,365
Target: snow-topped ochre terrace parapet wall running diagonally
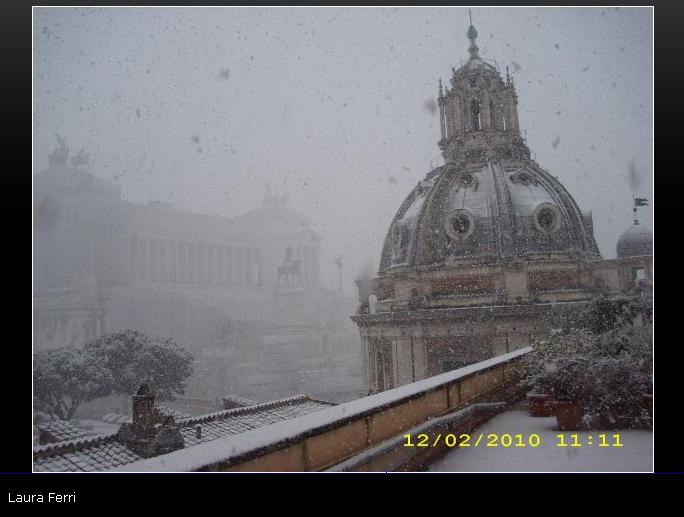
327,437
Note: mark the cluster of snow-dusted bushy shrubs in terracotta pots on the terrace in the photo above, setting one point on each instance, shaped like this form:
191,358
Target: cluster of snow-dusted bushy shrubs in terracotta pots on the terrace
599,367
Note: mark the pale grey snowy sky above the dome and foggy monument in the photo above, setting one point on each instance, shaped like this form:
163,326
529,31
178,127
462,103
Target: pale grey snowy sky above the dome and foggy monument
200,106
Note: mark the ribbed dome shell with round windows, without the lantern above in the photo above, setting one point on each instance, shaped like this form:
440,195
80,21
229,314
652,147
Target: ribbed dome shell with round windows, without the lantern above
494,211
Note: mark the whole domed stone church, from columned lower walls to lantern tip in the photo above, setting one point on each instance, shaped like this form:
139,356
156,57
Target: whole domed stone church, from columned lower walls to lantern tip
487,253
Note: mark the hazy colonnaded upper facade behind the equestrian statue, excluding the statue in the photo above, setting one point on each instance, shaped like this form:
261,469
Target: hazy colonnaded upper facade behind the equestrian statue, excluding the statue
103,263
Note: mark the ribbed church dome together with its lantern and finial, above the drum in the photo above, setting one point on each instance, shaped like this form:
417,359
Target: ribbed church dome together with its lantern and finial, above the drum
490,202
